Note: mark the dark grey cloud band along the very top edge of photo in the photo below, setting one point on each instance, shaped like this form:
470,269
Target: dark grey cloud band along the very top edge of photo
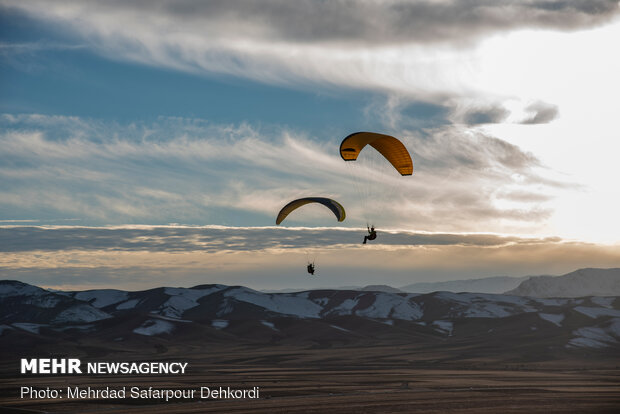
349,21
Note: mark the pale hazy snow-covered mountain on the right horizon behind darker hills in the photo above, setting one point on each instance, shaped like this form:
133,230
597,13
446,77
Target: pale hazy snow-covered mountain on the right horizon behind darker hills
582,282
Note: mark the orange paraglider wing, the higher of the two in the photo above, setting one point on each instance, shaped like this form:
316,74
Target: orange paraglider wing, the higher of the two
391,148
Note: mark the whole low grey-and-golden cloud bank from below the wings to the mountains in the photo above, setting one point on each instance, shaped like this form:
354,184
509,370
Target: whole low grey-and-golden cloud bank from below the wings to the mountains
139,257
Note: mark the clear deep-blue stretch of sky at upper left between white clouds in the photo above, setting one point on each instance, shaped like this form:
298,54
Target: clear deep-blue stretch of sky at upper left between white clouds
56,74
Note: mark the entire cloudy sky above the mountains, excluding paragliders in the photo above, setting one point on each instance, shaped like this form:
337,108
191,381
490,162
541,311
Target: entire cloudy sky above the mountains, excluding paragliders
150,143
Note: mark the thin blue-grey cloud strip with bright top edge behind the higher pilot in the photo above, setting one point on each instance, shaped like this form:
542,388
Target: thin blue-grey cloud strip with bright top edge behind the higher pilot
220,238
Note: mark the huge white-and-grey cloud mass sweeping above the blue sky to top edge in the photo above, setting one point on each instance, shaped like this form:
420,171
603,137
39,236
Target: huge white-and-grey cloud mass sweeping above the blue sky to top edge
414,51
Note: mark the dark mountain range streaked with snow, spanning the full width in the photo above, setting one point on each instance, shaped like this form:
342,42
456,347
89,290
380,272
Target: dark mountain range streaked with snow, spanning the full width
235,313
